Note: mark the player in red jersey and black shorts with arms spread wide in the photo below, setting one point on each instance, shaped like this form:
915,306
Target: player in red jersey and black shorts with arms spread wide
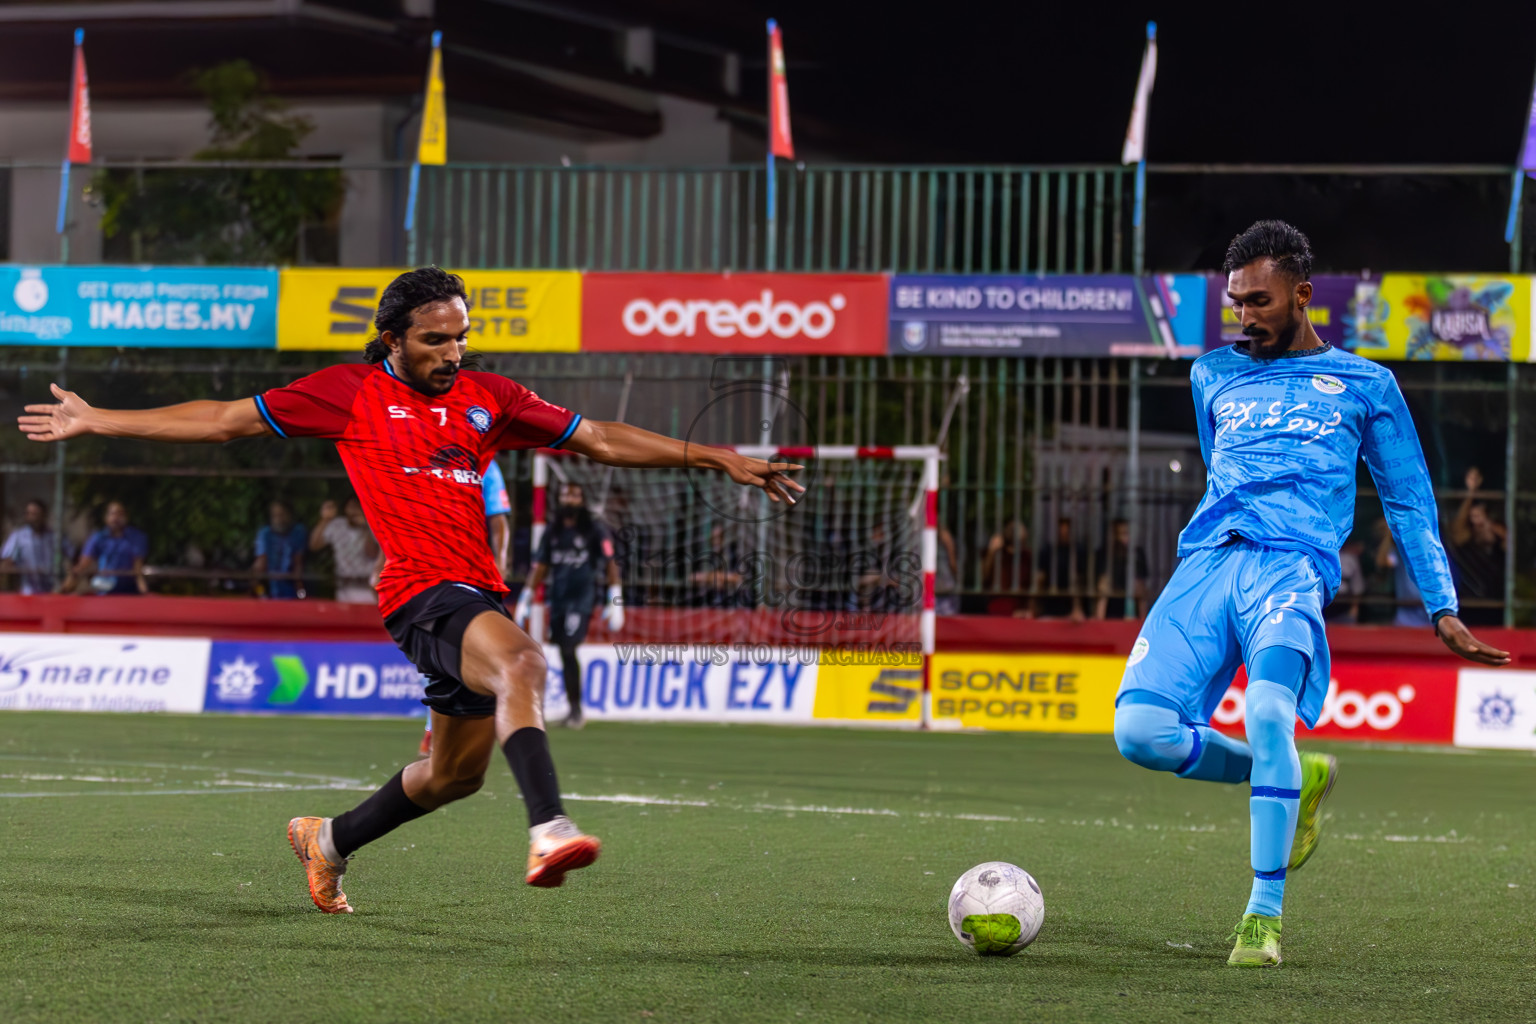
415,432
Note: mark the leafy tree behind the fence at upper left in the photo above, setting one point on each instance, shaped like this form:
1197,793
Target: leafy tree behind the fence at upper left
228,216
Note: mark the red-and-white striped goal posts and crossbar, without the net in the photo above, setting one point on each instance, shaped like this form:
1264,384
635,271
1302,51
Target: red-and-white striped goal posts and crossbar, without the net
924,509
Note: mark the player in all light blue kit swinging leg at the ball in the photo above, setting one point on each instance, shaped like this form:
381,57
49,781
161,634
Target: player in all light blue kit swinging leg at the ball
1283,420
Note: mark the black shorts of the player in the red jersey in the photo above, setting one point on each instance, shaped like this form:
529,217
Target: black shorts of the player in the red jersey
429,629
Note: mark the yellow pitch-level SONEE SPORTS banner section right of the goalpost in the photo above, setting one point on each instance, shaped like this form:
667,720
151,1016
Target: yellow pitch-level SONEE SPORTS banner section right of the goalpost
1027,693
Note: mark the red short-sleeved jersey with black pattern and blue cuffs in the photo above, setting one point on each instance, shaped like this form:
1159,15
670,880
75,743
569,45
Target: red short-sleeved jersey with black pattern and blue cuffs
417,461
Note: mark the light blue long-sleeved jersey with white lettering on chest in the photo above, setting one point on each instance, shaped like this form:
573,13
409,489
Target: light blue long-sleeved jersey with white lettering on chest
1280,440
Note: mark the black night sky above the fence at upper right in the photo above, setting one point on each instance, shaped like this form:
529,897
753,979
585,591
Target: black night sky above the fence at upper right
1253,84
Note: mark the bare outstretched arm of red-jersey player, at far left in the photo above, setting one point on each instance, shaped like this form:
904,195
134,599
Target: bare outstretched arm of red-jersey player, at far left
73,417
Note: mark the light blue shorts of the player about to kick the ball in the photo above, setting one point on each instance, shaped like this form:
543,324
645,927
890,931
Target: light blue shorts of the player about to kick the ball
1223,607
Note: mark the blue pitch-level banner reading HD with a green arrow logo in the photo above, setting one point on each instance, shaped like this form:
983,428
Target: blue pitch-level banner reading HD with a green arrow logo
334,679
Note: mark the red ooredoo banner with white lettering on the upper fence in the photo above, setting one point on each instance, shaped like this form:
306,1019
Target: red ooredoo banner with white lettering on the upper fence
738,314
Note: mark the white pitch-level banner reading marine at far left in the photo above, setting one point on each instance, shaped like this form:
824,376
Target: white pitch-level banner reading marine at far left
42,672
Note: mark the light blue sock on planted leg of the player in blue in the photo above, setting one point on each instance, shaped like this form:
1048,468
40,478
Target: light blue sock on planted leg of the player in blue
1276,802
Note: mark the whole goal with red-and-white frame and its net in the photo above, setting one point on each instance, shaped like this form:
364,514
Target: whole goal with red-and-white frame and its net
850,567
